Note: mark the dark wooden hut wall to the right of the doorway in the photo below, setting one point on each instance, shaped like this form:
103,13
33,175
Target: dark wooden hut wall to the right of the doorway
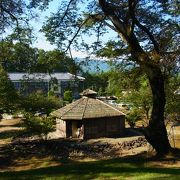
104,127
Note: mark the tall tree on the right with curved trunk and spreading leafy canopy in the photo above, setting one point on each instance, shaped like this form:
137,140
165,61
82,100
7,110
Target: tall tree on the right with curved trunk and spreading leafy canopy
148,31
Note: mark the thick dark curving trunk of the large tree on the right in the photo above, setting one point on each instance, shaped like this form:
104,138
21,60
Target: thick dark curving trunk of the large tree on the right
155,133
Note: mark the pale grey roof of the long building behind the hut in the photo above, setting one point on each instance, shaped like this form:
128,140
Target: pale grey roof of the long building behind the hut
43,76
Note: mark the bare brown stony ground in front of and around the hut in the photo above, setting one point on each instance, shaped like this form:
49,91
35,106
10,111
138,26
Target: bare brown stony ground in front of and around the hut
23,153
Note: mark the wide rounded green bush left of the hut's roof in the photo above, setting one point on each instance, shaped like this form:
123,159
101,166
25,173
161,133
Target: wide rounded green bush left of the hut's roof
39,102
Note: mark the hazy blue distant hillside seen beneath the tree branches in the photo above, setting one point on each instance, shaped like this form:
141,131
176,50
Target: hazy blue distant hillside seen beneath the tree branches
93,65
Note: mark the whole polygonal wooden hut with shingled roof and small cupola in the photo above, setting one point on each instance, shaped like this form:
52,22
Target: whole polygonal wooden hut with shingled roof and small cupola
88,118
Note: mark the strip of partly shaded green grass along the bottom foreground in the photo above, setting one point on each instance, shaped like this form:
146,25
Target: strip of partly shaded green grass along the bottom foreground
108,169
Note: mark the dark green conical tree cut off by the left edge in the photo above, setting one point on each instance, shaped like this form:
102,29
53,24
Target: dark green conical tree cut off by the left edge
8,95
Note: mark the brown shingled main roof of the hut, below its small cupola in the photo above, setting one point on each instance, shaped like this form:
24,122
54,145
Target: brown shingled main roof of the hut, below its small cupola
86,108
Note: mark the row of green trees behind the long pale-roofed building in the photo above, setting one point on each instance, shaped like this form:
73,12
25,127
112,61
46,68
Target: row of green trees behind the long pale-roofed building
20,57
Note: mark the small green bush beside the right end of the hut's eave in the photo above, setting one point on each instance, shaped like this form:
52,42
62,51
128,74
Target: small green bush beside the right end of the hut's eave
133,116
